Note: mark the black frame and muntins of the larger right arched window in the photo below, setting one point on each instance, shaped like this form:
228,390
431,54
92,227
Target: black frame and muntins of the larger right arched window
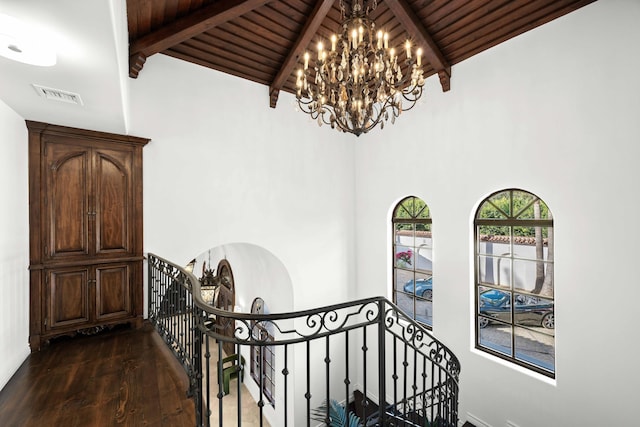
513,291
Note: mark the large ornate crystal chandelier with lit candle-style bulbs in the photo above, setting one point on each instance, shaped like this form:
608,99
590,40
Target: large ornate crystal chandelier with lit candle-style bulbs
360,81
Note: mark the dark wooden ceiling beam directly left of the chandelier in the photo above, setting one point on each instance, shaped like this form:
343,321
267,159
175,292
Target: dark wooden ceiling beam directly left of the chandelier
308,31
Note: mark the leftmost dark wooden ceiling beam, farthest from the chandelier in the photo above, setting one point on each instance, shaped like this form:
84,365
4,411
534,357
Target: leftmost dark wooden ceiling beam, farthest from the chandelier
185,28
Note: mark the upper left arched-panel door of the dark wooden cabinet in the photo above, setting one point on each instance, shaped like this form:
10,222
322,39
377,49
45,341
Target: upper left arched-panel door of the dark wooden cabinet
67,201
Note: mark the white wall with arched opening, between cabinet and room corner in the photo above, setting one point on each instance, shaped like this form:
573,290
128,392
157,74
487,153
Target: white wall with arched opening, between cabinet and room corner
223,167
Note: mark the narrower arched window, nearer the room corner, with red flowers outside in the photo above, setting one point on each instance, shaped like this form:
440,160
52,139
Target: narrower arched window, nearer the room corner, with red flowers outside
412,255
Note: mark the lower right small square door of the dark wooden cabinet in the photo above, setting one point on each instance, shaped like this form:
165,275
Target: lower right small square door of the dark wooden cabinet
113,291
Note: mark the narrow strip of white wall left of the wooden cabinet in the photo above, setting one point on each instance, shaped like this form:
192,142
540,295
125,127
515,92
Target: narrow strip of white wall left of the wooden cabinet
14,244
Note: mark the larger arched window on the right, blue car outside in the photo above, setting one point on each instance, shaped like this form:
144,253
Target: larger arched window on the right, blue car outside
514,307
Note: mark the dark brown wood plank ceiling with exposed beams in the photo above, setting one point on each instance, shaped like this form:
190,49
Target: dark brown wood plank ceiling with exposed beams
262,40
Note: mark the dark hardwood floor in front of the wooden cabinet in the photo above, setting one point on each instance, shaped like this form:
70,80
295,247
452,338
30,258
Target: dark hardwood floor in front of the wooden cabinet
122,377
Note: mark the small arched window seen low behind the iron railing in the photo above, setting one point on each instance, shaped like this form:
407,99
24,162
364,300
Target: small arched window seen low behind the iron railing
263,357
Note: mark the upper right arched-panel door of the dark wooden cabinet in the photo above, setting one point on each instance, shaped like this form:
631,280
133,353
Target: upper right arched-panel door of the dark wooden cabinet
113,201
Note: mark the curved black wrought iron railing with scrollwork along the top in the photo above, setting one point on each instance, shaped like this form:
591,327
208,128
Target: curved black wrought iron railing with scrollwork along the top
408,378
